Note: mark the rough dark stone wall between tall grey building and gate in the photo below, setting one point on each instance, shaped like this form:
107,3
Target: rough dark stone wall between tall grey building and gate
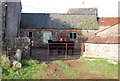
22,43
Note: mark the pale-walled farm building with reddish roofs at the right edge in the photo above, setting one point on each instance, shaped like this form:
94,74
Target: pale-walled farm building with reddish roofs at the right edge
106,42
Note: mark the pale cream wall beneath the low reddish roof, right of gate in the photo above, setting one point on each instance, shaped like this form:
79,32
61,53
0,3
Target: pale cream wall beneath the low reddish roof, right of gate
109,51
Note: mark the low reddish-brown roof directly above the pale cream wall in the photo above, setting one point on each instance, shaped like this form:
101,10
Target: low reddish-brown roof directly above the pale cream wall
104,40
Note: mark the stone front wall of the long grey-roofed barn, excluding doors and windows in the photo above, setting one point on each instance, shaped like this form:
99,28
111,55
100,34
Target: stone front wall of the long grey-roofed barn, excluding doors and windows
37,36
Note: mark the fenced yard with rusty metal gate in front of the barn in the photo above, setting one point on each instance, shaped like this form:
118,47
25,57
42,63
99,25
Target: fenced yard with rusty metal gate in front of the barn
59,51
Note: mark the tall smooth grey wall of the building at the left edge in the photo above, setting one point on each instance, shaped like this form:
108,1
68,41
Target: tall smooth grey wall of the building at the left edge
13,15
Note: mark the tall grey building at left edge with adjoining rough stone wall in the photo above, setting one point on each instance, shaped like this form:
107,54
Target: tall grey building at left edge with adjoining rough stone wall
10,28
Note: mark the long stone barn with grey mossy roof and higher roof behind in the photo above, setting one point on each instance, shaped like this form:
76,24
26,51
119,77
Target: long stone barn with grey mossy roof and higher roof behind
40,27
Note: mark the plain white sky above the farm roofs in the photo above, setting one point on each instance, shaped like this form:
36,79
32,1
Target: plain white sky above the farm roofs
106,8
